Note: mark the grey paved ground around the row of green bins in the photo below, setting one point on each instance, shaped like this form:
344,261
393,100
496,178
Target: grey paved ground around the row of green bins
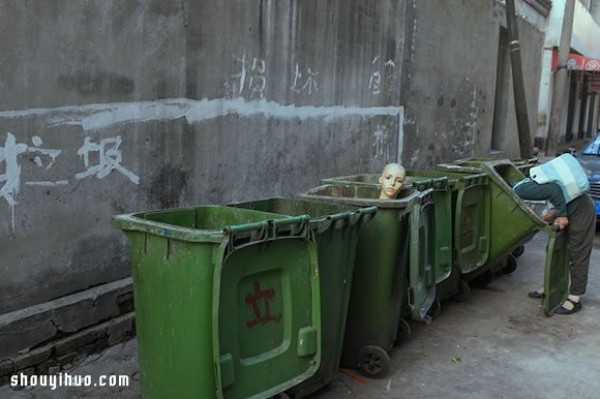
499,344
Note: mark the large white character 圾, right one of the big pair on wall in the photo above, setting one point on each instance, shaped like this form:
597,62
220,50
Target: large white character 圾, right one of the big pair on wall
109,158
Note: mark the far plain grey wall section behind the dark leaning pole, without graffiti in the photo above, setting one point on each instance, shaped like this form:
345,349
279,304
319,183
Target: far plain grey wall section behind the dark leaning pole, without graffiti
449,82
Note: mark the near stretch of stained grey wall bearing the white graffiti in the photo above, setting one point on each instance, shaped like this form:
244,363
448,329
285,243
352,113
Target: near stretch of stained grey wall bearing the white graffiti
118,106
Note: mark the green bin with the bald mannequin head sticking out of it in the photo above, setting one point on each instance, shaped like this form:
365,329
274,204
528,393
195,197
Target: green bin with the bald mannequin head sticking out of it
380,284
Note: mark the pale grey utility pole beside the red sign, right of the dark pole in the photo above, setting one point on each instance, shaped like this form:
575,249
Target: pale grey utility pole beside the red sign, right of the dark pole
560,80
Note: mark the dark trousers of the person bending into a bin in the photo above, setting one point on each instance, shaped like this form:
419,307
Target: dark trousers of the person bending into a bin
581,230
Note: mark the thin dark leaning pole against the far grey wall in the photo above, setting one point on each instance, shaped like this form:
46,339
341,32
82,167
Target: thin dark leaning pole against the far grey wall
518,83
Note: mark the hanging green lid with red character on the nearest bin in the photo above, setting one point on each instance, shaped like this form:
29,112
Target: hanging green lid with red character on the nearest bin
267,319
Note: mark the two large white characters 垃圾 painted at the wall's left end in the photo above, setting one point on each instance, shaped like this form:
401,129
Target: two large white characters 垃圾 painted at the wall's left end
12,153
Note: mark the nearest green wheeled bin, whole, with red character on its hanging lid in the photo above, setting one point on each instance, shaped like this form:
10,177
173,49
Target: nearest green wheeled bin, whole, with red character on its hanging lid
226,299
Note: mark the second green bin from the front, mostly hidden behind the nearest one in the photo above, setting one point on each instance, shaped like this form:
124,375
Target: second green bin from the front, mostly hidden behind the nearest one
336,229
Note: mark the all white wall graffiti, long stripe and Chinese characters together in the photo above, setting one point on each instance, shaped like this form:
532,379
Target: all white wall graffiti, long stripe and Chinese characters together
247,95
